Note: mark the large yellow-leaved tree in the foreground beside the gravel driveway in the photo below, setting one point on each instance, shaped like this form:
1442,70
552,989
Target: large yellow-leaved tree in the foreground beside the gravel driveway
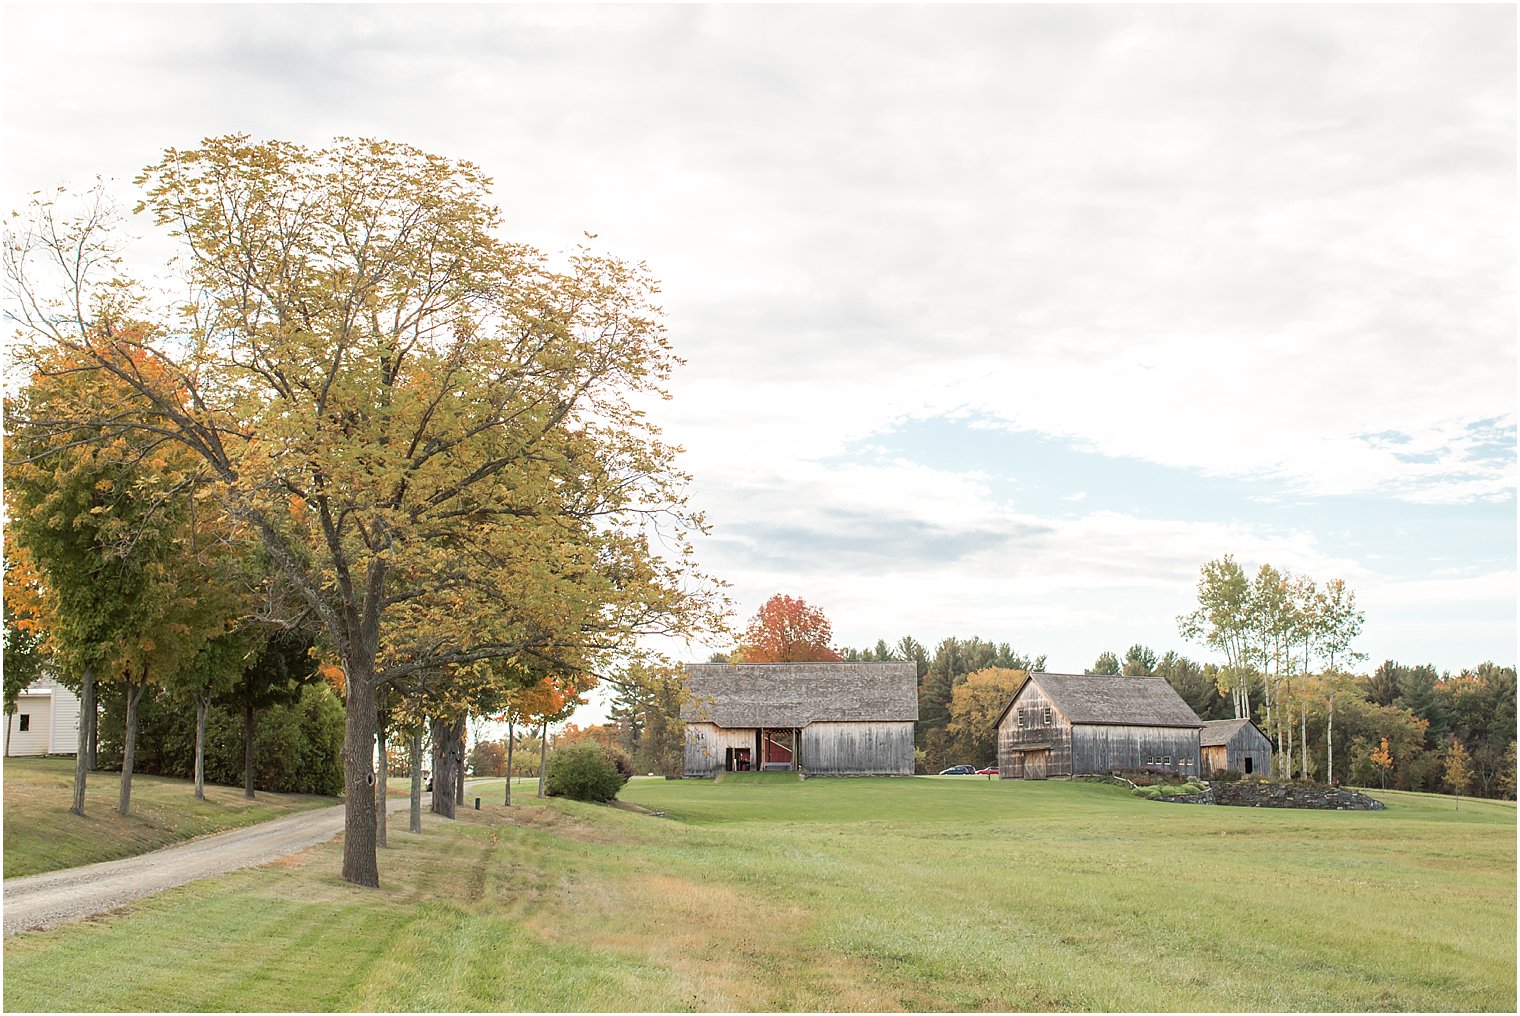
434,433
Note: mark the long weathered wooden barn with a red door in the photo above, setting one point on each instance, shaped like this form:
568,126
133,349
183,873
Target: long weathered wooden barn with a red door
811,719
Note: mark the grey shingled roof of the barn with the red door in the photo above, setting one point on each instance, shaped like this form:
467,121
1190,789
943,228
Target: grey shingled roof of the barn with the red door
799,694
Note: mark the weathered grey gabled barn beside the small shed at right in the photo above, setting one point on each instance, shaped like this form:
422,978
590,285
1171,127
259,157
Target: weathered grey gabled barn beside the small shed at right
1063,725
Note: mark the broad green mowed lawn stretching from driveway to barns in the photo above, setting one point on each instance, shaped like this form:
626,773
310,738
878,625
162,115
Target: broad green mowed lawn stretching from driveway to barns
885,895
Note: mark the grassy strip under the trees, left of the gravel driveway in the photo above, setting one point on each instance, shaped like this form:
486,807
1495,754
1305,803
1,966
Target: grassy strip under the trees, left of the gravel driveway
43,836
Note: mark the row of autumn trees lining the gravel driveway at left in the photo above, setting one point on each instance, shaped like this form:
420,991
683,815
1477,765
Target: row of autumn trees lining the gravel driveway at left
363,418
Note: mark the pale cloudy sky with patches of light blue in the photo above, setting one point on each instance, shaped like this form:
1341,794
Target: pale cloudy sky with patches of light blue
998,320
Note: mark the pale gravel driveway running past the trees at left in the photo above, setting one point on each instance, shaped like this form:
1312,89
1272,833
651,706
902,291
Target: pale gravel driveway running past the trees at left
42,901
